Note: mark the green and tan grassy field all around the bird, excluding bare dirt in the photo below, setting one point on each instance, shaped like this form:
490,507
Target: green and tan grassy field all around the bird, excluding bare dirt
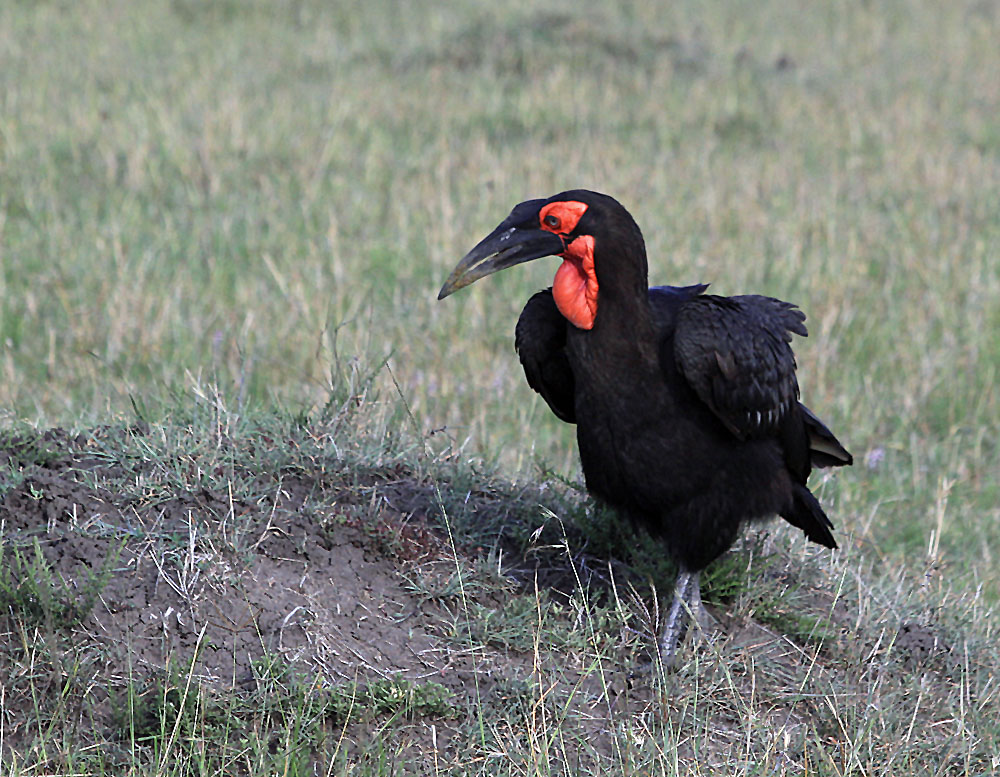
250,205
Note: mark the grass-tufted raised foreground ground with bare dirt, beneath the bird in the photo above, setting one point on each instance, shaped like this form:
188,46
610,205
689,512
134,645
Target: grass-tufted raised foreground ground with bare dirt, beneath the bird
532,643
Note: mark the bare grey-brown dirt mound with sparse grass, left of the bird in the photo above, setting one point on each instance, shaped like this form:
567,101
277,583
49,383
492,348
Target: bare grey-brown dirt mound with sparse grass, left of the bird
212,587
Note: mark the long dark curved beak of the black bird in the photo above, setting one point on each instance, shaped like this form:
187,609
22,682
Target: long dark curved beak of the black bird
504,247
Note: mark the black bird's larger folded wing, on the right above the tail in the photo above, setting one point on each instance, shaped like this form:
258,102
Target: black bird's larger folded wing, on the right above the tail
735,353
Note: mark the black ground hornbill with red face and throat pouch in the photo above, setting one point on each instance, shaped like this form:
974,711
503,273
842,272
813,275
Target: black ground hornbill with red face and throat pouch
685,403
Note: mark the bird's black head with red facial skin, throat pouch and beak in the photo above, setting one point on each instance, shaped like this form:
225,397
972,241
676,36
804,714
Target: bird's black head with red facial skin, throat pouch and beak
573,225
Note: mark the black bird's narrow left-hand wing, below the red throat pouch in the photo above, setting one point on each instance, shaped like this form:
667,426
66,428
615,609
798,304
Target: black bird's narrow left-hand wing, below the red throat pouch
540,340
